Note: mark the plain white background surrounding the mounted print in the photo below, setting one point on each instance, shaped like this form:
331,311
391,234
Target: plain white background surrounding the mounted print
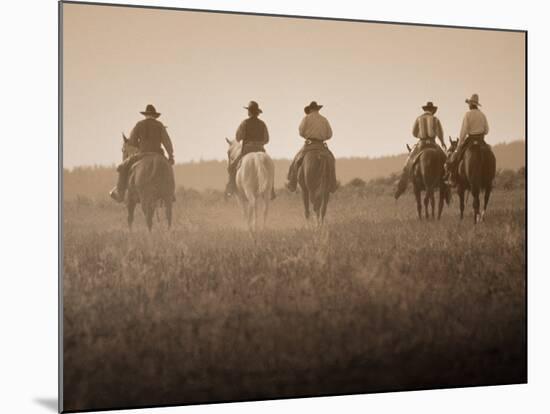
29,205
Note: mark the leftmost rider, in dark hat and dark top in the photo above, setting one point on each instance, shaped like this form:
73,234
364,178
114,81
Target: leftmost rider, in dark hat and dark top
149,136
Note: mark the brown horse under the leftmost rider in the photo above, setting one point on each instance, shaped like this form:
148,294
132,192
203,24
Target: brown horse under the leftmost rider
150,182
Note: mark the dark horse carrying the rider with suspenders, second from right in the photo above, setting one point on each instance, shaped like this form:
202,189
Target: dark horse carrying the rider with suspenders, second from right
427,175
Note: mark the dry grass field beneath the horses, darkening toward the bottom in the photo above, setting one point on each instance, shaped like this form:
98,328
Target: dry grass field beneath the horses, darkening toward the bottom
375,301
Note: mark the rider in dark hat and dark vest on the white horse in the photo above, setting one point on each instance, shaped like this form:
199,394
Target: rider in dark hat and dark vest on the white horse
253,134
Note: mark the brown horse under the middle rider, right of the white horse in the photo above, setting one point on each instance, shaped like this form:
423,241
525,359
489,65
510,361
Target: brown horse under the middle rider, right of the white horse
314,178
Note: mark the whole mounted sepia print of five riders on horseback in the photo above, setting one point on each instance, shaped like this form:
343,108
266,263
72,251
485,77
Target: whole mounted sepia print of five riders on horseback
260,206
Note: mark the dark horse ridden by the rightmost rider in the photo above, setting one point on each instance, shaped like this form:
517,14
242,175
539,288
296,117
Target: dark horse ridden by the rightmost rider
476,172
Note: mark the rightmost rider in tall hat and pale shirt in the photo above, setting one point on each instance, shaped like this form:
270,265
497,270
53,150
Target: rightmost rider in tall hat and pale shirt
474,127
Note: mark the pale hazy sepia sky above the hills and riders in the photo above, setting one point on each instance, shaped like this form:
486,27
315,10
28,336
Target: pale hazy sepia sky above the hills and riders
200,69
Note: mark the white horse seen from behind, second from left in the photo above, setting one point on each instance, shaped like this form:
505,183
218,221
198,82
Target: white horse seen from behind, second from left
255,178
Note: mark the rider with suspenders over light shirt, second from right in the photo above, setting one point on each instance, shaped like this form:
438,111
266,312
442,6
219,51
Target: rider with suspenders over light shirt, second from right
426,128
